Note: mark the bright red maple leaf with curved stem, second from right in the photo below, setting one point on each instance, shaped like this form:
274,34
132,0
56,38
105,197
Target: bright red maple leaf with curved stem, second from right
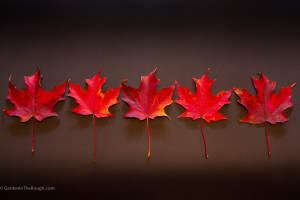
203,104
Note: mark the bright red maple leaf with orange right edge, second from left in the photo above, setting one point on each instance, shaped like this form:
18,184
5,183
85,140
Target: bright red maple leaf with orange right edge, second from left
93,101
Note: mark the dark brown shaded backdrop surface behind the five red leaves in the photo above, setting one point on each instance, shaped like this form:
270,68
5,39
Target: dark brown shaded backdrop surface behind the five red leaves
72,39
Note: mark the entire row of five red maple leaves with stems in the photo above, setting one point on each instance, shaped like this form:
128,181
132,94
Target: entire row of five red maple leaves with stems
146,102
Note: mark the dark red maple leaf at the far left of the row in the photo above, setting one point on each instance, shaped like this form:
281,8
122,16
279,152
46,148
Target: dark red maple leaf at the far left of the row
34,101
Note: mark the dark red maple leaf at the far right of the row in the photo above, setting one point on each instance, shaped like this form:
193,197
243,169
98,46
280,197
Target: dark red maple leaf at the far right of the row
265,106
